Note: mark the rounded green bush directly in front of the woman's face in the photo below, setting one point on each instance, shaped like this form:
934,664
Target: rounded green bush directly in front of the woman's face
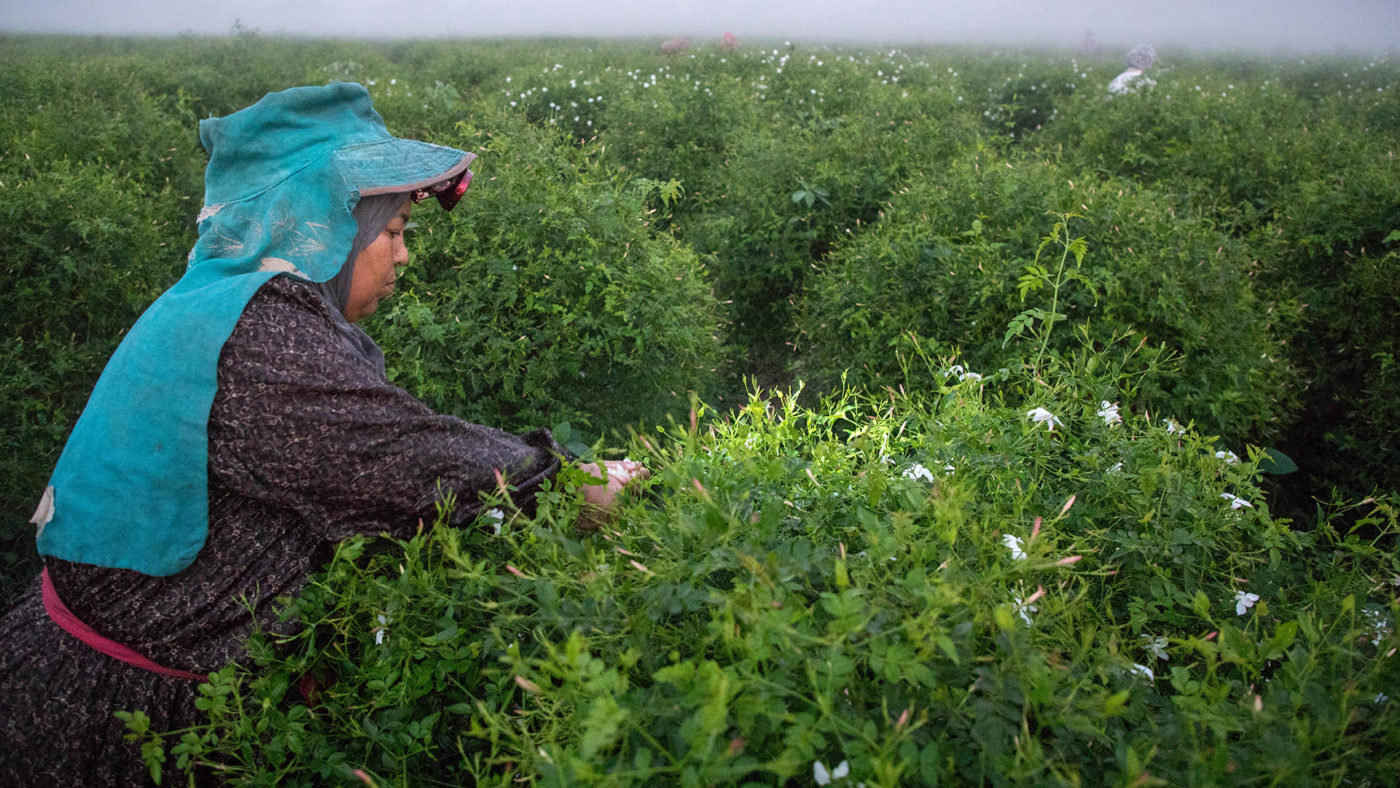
551,297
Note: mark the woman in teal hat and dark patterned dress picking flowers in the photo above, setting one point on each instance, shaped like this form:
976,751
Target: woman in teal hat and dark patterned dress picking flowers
241,430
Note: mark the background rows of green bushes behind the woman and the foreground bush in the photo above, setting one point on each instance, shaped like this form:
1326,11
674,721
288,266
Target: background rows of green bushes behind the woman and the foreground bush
645,229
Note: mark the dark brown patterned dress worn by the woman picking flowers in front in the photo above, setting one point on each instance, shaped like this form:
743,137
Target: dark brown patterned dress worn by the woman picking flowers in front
309,444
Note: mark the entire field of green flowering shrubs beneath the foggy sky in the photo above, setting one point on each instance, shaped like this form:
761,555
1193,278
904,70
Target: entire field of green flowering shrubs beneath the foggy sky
1003,432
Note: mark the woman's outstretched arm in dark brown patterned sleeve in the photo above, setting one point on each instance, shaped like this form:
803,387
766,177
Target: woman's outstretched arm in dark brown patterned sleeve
304,423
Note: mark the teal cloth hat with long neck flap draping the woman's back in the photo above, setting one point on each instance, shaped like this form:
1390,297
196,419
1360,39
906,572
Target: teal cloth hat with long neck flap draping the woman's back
285,176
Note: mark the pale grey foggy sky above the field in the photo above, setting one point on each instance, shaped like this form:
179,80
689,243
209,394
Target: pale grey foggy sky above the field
1366,26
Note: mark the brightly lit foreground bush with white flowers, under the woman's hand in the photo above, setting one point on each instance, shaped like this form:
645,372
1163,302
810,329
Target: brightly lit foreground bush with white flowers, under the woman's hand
930,587
